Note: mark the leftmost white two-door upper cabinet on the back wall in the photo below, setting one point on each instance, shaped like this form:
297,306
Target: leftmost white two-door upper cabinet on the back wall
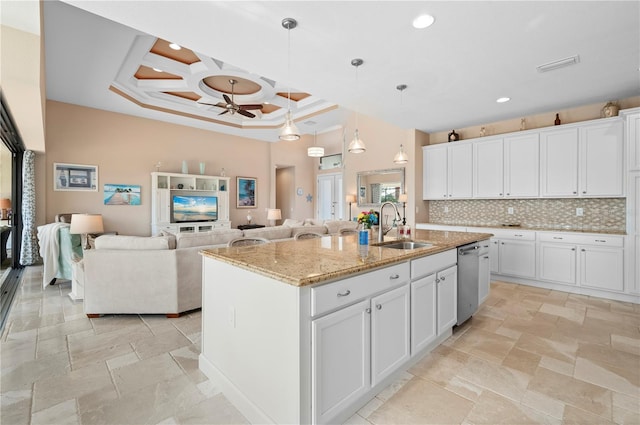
447,171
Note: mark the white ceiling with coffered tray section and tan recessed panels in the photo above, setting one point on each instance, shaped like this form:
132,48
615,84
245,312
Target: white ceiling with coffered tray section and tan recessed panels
102,54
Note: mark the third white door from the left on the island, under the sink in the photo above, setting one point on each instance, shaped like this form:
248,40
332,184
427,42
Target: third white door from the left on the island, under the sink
423,312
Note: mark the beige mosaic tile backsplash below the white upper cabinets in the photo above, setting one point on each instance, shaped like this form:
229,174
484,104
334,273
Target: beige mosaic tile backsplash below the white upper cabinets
599,214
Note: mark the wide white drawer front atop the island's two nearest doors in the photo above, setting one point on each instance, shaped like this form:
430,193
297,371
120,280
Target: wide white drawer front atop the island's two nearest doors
333,295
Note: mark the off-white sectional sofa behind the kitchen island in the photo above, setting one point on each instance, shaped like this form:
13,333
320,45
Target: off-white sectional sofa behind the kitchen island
163,274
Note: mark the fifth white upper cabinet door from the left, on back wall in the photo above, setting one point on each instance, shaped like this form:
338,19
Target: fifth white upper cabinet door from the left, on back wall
559,162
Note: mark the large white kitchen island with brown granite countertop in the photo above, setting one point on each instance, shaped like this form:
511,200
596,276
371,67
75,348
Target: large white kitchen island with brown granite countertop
308,331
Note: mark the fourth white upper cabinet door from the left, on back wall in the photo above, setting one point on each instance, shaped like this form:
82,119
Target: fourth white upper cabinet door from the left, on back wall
522,166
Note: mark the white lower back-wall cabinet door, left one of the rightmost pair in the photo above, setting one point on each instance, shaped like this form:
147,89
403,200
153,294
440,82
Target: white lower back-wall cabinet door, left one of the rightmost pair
557,262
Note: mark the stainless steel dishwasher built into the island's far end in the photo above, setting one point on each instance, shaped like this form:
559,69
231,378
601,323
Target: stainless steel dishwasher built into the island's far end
468,280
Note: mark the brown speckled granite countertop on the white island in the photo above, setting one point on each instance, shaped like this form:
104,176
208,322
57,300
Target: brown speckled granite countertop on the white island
309,261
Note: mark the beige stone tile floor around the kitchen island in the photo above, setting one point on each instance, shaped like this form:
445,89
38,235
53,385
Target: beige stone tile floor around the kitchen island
528,356
